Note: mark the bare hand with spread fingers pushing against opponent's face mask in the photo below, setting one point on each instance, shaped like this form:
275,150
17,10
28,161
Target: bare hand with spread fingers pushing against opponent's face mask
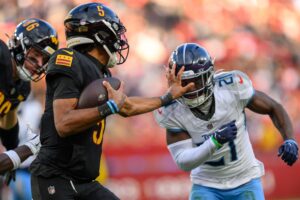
174,82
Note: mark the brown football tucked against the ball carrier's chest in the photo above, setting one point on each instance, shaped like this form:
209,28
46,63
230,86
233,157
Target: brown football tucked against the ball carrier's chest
95,94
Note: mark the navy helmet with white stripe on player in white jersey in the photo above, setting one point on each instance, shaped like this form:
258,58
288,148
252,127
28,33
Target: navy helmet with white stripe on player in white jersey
199,68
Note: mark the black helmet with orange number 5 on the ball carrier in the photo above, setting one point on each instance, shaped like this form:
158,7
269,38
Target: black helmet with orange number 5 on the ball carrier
95,23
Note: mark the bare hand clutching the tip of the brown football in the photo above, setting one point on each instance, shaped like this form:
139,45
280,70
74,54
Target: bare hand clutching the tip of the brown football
117,95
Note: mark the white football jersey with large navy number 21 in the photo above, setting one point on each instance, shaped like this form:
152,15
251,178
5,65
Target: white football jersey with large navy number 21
233,164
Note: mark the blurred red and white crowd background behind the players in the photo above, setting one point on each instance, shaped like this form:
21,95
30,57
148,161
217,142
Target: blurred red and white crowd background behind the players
259,37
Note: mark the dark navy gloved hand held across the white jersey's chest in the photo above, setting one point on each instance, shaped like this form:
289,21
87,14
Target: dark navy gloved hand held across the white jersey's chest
226,133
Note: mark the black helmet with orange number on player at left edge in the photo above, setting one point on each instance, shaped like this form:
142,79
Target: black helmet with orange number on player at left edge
37,34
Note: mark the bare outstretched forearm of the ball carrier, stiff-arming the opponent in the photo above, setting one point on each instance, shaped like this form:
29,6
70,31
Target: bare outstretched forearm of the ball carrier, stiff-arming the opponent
139,105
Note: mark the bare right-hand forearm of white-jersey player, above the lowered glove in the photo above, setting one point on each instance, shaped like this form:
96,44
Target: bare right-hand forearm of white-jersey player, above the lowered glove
282,122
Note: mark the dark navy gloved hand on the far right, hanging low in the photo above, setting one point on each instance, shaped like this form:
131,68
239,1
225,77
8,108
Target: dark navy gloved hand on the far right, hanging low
288,152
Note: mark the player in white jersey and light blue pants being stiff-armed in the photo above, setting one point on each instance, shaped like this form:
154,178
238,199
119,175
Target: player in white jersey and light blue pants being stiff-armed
207,133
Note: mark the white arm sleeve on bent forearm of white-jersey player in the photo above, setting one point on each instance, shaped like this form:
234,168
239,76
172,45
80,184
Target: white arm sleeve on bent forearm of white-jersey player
188,157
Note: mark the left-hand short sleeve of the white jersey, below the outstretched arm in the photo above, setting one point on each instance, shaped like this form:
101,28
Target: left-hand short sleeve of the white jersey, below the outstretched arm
165,117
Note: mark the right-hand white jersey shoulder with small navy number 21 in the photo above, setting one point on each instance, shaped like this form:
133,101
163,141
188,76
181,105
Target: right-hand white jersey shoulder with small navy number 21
236,81
